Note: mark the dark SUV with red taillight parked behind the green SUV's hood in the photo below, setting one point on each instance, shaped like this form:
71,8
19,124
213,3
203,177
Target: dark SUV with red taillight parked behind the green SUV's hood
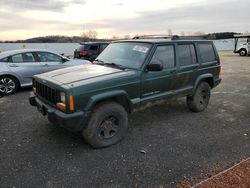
89,50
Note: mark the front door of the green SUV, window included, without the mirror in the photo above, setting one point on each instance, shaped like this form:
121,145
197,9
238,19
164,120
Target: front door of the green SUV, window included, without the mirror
158,84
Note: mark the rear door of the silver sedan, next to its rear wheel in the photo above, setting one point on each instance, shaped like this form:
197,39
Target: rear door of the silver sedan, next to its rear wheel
25,66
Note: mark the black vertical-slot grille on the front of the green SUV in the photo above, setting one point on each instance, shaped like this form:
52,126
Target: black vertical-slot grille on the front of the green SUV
47,93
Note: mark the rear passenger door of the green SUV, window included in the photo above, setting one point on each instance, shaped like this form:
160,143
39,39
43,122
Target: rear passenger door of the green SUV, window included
187,67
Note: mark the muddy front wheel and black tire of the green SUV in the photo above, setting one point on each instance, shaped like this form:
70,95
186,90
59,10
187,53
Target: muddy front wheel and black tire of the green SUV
108,124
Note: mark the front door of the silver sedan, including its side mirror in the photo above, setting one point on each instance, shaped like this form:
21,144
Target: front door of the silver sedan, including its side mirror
50,61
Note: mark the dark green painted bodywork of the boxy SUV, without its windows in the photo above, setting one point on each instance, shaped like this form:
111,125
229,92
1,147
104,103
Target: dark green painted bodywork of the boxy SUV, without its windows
91,83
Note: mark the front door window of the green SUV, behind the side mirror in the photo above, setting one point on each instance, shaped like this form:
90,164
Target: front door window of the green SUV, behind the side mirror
165,56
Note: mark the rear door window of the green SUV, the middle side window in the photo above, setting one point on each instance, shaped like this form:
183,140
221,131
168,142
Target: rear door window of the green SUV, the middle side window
187,55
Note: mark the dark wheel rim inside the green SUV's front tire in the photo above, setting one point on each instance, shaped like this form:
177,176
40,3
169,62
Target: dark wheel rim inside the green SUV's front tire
109,127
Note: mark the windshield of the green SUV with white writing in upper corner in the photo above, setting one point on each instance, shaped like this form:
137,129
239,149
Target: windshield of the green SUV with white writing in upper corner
126,54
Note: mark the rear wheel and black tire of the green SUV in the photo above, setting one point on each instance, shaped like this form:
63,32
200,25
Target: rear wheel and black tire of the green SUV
199,101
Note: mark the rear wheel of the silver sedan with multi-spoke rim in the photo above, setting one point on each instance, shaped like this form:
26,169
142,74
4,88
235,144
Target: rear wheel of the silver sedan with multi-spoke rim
8,85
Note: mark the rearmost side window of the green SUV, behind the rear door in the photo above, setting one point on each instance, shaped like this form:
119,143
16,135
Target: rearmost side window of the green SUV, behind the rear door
207,52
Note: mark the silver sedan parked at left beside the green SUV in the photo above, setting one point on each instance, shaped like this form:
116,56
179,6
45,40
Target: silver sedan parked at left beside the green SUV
18,66
